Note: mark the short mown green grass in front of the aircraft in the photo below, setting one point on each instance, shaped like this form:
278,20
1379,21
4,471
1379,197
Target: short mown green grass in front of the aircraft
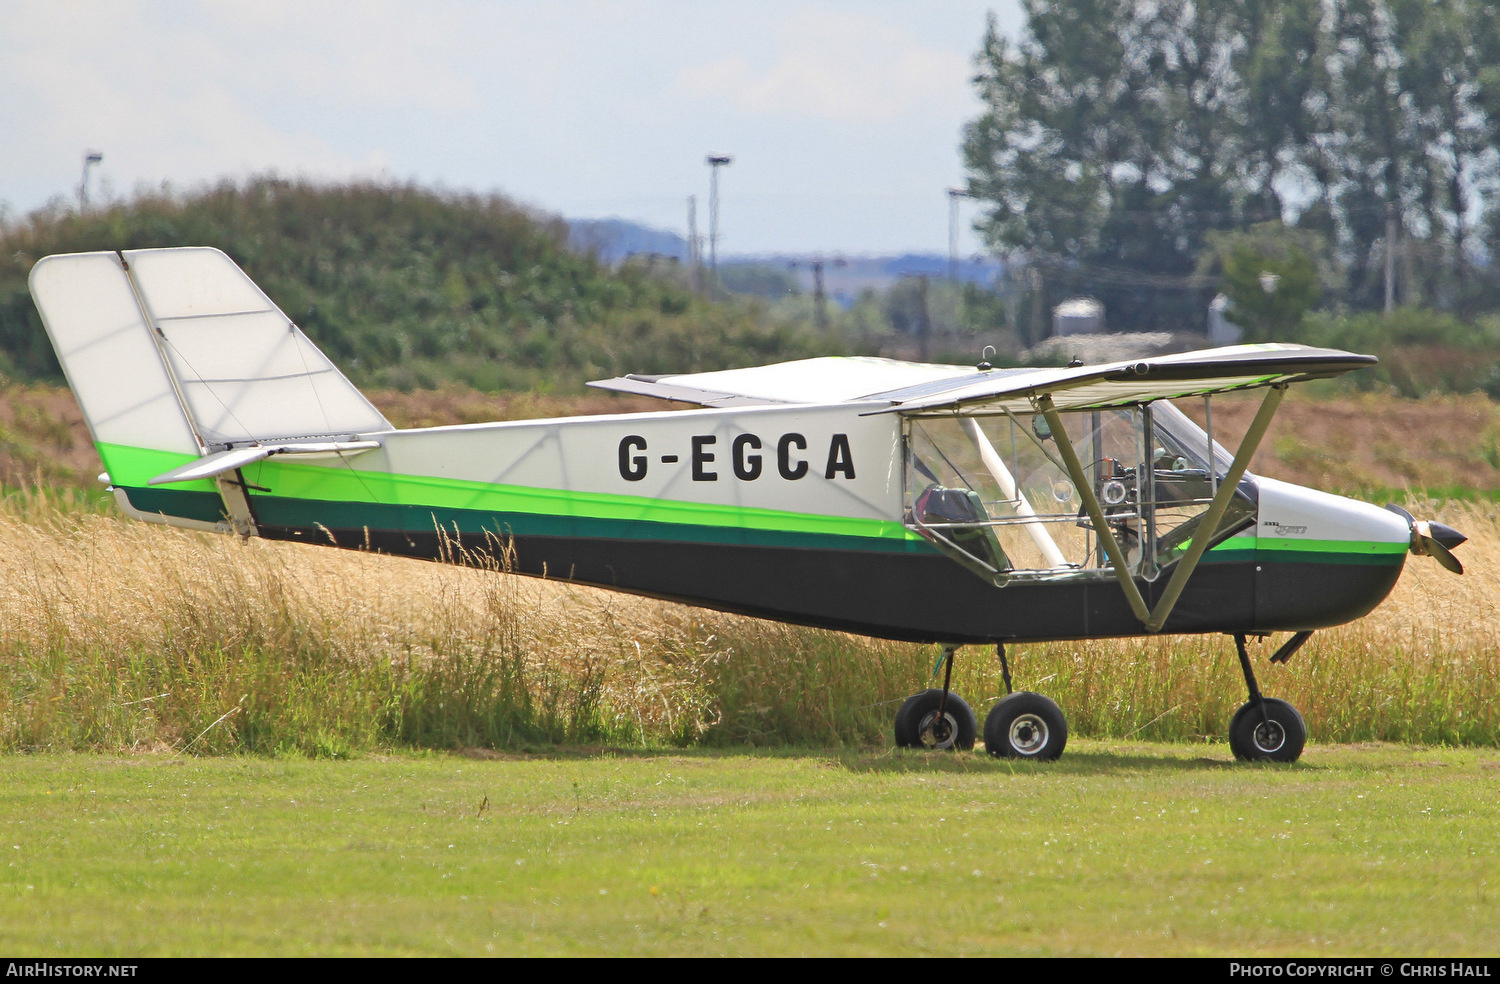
1132,850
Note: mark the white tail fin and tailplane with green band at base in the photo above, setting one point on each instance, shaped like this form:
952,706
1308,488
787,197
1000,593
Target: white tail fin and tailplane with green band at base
185,371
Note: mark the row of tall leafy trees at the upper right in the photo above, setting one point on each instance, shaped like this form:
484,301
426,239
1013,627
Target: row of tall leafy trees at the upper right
1117,136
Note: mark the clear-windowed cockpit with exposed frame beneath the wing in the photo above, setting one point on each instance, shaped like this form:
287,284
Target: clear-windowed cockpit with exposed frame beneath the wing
995,494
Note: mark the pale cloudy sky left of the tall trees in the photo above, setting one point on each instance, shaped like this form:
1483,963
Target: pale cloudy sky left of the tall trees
844,118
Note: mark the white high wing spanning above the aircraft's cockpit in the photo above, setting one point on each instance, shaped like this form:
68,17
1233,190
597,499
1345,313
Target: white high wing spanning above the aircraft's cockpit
922,388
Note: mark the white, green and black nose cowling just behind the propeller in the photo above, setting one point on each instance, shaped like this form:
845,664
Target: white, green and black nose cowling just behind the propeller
1322,560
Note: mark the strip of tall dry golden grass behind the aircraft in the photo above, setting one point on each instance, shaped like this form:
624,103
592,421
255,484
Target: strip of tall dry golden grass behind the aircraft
121,635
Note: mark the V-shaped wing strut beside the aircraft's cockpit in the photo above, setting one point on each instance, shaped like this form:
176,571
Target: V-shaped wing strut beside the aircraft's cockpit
1154,620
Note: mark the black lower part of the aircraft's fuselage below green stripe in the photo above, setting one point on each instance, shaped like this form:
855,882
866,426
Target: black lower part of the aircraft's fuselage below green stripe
905,596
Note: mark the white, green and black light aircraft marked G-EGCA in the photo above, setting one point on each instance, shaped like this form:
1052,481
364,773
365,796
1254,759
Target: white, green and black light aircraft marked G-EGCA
943,505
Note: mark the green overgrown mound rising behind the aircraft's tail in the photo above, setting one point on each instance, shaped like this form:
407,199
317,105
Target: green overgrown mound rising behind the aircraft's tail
412,289
